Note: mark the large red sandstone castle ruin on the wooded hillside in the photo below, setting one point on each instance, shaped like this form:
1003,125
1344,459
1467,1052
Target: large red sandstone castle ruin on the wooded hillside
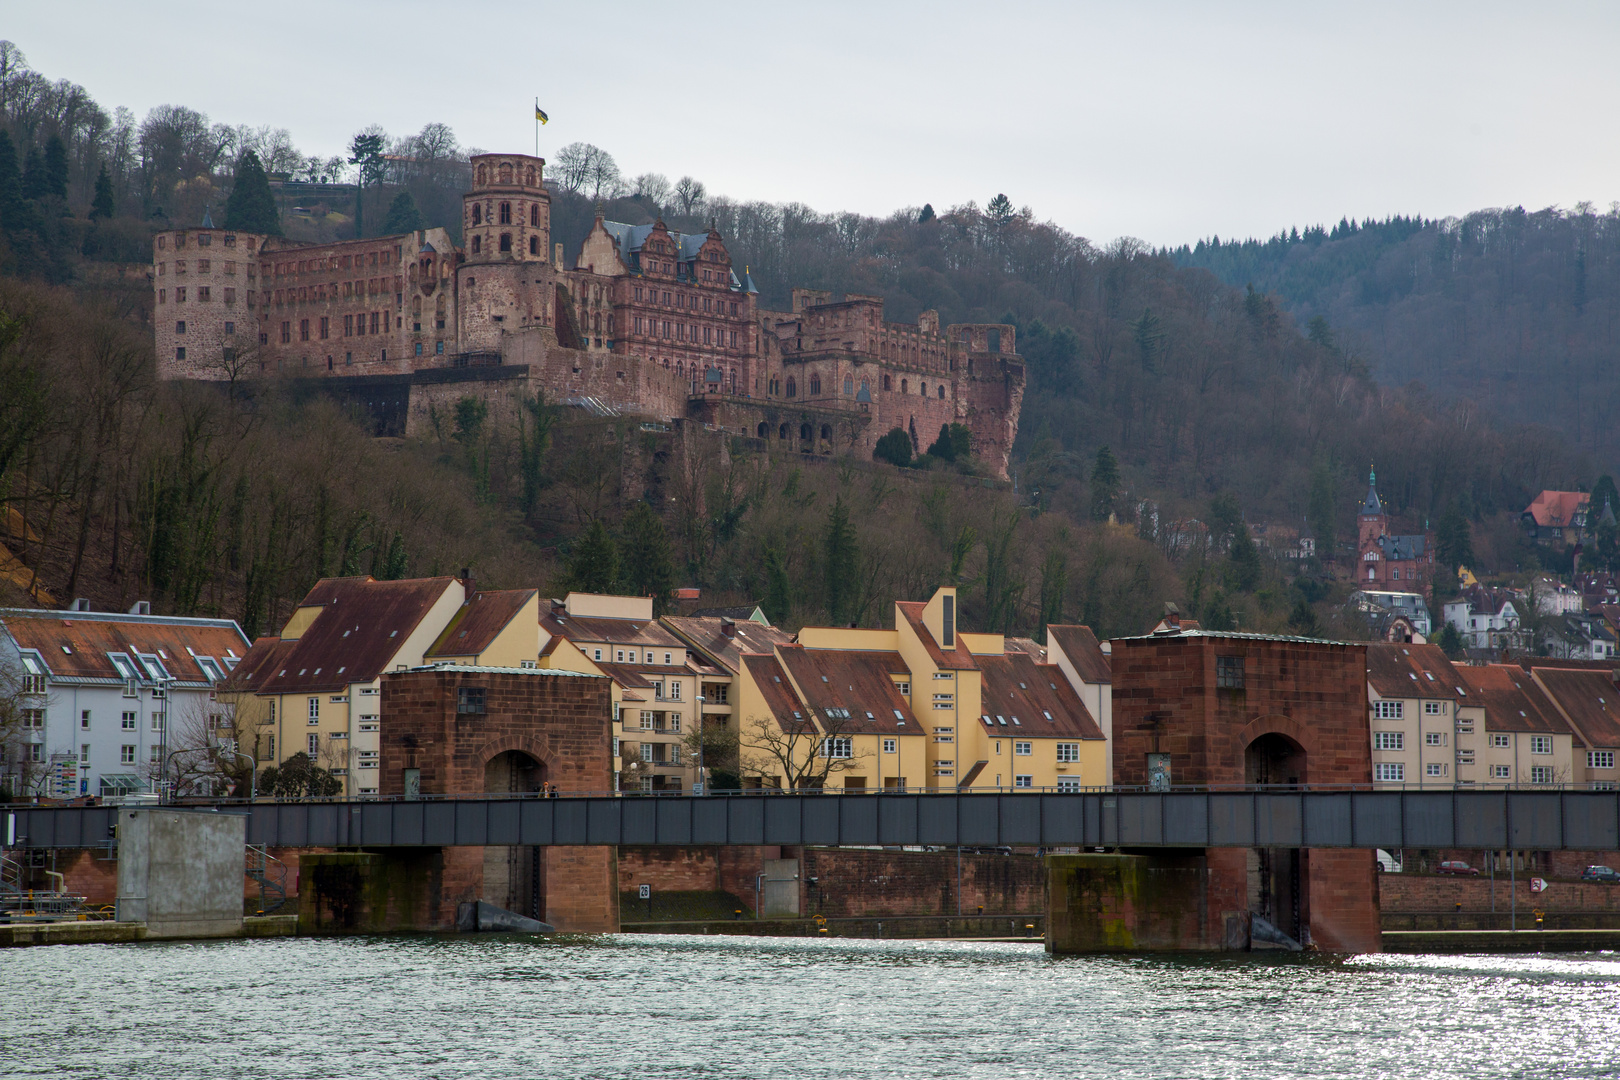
647,323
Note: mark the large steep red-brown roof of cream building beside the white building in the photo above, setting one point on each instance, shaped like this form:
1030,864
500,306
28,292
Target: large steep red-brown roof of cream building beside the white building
360,629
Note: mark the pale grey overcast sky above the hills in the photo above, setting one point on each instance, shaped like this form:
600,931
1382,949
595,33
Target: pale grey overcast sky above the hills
1159,121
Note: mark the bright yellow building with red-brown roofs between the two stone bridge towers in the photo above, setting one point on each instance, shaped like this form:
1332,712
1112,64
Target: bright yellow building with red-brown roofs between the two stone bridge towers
923,705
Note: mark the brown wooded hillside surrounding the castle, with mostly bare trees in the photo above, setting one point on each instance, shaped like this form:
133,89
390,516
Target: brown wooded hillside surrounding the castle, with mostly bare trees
1156,394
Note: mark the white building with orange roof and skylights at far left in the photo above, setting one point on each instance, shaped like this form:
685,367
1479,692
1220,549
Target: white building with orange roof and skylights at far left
108,699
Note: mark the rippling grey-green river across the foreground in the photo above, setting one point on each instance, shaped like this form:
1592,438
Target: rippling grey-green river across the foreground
652,1008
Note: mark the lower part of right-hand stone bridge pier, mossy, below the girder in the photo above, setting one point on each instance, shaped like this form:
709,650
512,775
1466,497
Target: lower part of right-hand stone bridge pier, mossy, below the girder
1192,901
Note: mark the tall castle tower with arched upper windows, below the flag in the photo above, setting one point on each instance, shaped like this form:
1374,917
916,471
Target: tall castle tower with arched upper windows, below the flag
506,283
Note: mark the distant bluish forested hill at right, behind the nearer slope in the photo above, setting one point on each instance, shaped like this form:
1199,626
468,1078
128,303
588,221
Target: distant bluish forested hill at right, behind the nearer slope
1514,312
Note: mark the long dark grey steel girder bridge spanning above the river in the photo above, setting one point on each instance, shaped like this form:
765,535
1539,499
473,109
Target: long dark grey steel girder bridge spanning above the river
1494,820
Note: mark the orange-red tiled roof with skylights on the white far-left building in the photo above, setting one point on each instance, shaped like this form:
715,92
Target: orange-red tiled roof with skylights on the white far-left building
90,637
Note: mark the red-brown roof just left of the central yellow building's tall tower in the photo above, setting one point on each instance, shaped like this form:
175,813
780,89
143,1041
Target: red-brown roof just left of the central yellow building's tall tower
856,681
